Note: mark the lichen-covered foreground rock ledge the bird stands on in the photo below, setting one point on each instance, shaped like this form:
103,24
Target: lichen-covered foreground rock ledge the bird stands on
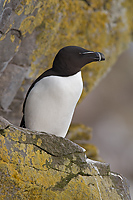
42,166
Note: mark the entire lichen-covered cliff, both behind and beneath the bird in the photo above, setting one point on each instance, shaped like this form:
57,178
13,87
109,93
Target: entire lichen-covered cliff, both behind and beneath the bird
42,166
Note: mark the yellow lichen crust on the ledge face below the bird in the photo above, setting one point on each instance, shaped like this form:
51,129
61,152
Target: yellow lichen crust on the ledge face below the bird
27,175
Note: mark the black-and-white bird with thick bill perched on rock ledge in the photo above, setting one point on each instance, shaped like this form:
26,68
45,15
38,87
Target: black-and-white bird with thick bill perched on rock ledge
51,99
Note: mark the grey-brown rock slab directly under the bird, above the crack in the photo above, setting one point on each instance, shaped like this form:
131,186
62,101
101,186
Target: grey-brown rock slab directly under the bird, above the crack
56,146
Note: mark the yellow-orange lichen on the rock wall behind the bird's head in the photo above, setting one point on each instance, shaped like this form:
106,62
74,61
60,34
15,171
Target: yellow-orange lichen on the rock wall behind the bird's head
97,25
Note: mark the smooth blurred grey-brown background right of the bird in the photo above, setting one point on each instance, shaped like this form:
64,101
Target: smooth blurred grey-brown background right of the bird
108,109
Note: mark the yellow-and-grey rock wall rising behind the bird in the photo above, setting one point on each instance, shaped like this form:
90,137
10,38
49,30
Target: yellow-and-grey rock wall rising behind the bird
32,32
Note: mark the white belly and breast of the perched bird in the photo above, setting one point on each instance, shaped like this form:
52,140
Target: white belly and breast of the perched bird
51,103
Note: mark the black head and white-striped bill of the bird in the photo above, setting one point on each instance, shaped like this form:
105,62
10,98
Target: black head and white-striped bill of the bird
69,60
